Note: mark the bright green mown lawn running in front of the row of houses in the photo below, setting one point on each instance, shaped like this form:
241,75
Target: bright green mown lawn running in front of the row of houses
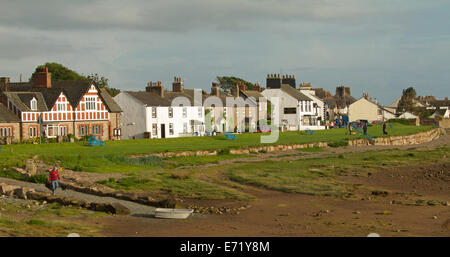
113,156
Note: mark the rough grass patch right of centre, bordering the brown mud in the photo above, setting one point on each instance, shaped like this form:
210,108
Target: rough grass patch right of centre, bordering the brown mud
318,175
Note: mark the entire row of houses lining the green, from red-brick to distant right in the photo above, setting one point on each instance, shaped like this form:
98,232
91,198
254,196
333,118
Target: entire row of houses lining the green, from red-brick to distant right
42,107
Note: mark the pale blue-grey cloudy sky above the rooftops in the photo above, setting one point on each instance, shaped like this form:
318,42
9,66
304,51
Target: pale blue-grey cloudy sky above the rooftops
380,47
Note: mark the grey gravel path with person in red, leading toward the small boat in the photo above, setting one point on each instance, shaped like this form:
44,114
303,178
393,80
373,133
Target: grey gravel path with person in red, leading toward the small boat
135,208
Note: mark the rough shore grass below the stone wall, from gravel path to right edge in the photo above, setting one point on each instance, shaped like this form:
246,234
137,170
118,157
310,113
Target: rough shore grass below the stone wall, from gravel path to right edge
315,176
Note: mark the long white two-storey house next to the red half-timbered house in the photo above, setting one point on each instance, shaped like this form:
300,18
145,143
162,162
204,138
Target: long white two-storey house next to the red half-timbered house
157,113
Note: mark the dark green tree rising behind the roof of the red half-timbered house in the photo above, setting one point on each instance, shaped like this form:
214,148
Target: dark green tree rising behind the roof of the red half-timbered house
60,72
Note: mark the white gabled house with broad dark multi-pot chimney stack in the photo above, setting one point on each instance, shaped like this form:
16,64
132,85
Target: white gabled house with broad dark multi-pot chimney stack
297,111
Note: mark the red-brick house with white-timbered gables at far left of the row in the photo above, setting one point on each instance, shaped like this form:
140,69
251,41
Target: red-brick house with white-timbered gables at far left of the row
60,108
